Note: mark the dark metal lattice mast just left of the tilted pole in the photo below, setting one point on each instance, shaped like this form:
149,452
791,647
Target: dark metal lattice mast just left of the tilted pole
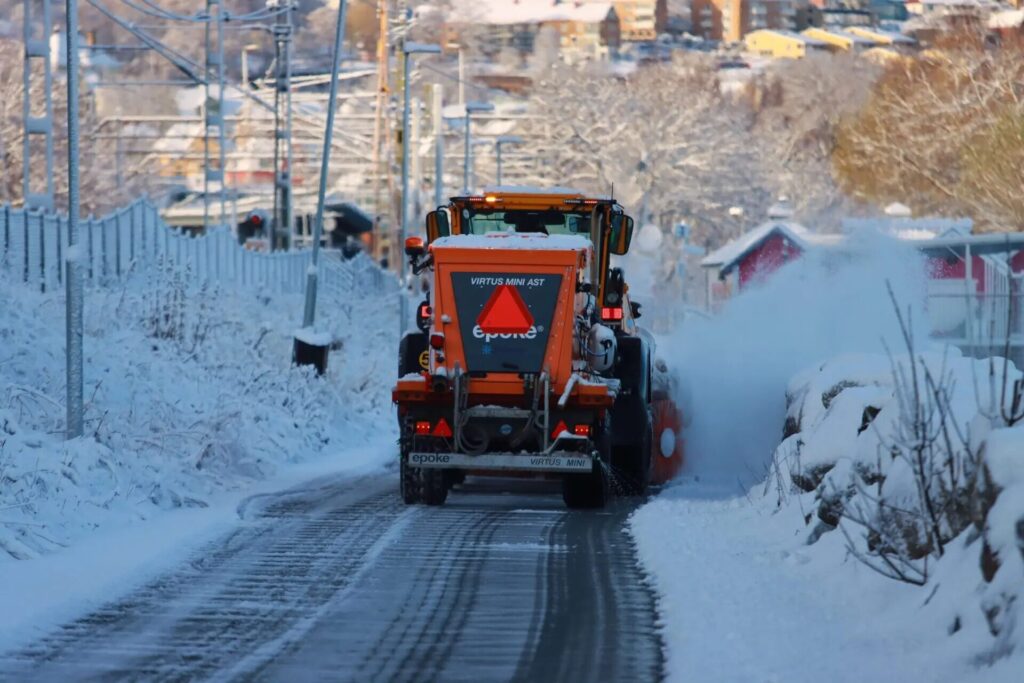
283,222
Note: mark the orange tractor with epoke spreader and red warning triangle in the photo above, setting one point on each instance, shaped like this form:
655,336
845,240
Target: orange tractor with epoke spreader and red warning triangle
528,360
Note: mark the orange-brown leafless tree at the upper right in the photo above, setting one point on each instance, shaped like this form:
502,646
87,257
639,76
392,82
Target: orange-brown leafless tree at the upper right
943,134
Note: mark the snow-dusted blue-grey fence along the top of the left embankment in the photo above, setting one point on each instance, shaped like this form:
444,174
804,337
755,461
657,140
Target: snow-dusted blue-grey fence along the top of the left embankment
34,244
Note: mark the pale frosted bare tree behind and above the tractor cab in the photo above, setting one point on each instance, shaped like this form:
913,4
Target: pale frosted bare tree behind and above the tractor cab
664,139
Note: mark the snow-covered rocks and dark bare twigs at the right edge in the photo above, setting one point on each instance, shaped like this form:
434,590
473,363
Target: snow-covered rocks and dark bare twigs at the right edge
914,460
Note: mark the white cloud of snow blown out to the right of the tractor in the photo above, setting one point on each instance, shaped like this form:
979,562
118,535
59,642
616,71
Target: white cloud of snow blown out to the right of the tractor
736,367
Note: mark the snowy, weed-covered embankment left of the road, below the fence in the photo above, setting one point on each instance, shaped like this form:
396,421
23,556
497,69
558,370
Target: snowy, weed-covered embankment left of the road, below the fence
190,394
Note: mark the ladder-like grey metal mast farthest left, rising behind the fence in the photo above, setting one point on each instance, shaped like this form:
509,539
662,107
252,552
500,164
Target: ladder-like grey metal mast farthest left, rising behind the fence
37,48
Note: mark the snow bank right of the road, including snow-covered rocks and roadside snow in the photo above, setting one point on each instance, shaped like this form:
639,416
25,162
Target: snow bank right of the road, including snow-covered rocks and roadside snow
769,586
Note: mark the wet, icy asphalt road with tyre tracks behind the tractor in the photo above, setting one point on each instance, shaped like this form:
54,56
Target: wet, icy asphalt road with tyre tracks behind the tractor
339,581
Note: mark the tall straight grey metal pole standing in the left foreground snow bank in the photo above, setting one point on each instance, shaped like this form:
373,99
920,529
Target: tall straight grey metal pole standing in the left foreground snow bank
74,285
